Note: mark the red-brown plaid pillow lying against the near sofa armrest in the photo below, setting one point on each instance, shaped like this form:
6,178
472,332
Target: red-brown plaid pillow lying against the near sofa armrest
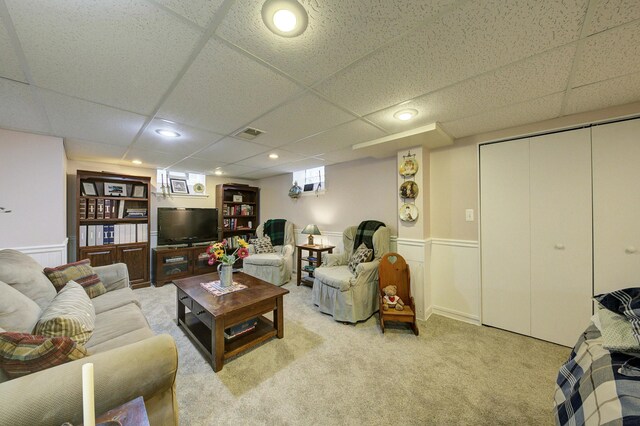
22,353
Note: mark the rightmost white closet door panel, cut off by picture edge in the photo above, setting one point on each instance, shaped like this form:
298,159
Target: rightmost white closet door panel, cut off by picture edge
616,205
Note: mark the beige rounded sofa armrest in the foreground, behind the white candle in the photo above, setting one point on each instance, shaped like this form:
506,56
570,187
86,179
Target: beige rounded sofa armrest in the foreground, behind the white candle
53,396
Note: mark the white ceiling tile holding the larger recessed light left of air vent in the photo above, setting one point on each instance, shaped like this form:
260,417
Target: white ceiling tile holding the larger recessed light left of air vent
190,140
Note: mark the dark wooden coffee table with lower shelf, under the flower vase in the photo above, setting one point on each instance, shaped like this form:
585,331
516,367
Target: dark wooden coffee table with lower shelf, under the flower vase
210,315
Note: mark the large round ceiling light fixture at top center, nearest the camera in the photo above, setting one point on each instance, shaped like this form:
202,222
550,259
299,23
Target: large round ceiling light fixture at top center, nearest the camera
287,18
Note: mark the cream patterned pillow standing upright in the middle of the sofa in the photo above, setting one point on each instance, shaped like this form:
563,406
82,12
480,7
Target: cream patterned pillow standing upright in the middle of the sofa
70,314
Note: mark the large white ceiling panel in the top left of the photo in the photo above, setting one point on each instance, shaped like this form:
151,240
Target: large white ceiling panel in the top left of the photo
114,52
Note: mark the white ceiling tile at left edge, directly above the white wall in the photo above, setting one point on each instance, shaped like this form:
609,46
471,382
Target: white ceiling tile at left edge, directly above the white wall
20,108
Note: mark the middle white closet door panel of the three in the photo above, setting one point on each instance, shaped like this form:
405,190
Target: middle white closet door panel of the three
561,275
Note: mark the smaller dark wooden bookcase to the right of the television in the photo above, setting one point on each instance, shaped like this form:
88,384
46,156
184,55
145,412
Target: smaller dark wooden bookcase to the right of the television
238,210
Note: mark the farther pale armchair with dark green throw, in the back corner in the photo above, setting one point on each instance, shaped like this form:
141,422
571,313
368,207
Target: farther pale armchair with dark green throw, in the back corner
272,267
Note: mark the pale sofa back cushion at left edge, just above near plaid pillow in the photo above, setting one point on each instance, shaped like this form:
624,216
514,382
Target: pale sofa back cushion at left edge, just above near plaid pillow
17,312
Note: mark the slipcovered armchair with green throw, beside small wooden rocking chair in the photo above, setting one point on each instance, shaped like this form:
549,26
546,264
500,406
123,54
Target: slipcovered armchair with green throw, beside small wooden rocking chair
350,296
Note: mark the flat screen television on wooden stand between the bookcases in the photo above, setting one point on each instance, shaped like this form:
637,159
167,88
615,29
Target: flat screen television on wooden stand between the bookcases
178,225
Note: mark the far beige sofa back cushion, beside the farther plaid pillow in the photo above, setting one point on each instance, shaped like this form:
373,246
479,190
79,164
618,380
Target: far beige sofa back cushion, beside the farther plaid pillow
25,275
